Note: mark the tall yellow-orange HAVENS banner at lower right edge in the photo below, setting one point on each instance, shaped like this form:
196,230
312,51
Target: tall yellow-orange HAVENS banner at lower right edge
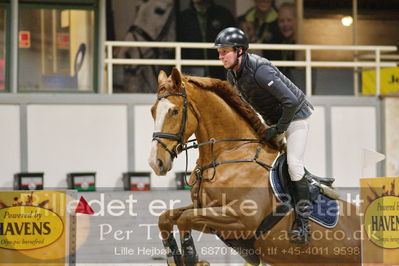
380,223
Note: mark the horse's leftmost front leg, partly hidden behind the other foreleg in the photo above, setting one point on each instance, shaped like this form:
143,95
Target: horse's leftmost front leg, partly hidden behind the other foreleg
165,223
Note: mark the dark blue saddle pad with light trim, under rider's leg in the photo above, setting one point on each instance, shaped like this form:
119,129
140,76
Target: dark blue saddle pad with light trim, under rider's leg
325,210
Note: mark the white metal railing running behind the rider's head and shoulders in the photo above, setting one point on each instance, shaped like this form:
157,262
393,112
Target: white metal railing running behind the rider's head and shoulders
377,63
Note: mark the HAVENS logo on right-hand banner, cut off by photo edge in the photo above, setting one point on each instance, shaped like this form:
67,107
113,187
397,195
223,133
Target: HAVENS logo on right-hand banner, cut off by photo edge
381,219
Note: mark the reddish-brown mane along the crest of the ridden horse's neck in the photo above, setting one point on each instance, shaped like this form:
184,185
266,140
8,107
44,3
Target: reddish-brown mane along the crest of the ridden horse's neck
224,90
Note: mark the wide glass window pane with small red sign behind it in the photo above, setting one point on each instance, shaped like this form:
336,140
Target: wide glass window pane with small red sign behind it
56,49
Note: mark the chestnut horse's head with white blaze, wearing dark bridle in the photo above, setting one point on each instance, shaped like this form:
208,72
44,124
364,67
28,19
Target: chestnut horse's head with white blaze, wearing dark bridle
175,121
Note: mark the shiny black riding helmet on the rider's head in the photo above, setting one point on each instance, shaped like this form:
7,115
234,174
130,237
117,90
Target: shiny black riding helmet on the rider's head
232,37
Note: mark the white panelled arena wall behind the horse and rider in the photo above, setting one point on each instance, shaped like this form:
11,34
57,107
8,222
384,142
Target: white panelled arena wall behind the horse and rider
111,134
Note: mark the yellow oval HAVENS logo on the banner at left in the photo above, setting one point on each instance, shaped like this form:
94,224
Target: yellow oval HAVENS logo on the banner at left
28,227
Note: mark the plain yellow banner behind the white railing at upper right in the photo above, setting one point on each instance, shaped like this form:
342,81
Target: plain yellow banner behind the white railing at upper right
389,81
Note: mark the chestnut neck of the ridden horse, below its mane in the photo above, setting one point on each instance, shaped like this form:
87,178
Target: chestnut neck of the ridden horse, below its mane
219,121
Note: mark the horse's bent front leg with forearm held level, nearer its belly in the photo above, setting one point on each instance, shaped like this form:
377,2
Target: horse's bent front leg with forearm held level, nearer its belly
212,220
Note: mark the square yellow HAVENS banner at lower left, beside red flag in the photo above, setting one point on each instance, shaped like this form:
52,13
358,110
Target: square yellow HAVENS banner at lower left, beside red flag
35,227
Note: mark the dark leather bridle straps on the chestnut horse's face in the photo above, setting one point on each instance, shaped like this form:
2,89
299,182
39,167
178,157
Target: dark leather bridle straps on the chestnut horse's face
177,137
